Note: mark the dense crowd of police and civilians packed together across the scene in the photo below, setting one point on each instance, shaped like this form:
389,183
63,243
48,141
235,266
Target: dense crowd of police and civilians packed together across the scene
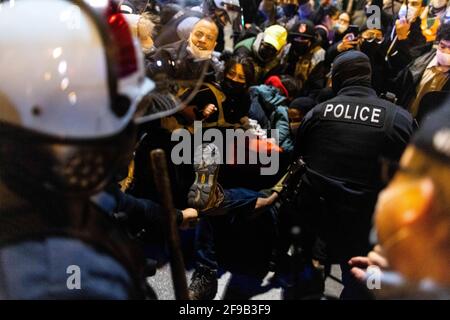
350,96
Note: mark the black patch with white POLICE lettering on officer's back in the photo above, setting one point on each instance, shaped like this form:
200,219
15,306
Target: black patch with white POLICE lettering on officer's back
355,113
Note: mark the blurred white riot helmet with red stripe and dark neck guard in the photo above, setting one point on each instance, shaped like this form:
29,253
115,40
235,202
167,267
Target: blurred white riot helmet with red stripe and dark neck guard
71,80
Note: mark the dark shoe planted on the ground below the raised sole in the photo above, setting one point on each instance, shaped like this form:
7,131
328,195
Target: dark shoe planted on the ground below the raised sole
203,284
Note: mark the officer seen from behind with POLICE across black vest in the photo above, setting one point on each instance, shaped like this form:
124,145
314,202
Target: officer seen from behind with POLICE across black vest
341,140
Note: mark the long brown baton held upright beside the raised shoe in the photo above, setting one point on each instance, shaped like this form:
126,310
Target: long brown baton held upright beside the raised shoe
162,181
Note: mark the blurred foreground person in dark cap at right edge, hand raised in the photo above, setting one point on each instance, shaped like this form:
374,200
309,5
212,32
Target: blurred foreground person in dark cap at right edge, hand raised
412,217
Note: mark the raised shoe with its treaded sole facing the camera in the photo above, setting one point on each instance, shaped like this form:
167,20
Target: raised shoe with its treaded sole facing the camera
205,193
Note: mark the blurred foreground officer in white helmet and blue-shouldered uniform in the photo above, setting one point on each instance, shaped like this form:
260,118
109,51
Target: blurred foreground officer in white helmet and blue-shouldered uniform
67,101
